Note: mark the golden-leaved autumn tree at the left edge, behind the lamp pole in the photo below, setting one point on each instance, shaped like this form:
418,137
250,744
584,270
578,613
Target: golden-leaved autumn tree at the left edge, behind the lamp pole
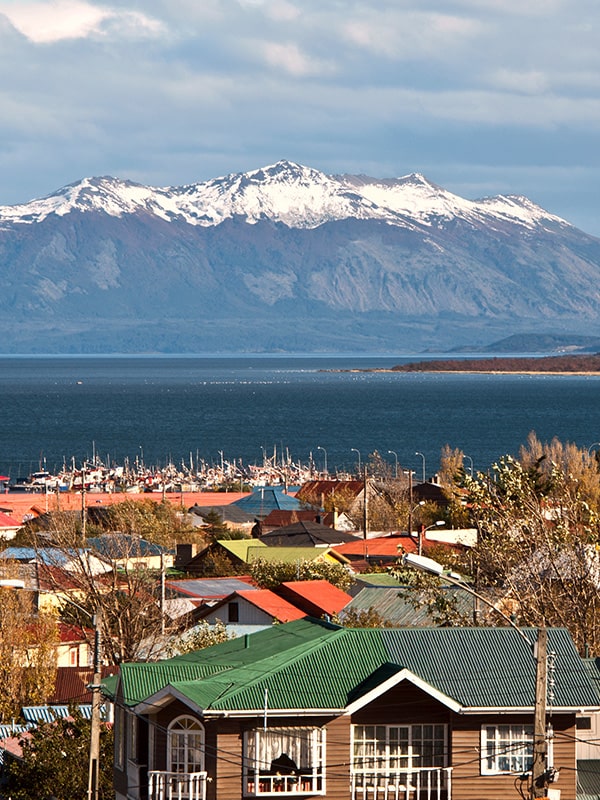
27,653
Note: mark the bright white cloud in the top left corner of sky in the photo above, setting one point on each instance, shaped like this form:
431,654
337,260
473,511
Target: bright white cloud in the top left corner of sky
49,22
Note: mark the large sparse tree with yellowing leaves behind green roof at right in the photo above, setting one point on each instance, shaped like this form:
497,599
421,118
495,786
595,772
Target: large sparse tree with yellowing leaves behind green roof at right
538,543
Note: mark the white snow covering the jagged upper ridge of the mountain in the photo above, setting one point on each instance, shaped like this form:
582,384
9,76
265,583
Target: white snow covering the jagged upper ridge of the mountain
286,192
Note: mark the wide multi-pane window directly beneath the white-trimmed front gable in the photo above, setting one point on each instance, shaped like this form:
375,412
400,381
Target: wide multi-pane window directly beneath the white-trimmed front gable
405,756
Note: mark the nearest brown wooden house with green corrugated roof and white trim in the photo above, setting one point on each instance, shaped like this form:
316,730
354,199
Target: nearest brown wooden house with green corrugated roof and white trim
311,709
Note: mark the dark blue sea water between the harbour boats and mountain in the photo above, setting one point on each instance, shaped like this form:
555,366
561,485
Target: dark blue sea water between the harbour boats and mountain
159,409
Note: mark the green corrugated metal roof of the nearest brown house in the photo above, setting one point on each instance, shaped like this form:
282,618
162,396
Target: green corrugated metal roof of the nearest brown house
310,664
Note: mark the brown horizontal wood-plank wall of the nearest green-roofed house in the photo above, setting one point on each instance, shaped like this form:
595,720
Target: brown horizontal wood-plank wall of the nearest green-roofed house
404,704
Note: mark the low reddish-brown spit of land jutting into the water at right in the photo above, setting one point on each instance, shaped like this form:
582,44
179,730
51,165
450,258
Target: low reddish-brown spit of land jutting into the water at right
556,364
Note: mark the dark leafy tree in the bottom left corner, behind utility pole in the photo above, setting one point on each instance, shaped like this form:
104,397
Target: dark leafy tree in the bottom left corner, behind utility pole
52,762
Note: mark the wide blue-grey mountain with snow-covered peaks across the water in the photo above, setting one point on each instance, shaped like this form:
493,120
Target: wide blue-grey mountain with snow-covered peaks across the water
287,258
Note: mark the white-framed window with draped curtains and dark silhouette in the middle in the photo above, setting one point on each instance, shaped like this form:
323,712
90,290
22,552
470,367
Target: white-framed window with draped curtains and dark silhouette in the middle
289,760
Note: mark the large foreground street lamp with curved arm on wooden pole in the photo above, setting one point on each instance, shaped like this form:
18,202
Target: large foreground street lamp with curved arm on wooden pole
538,650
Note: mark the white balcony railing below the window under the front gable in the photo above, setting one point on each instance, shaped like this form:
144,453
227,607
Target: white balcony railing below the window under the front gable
429,783
